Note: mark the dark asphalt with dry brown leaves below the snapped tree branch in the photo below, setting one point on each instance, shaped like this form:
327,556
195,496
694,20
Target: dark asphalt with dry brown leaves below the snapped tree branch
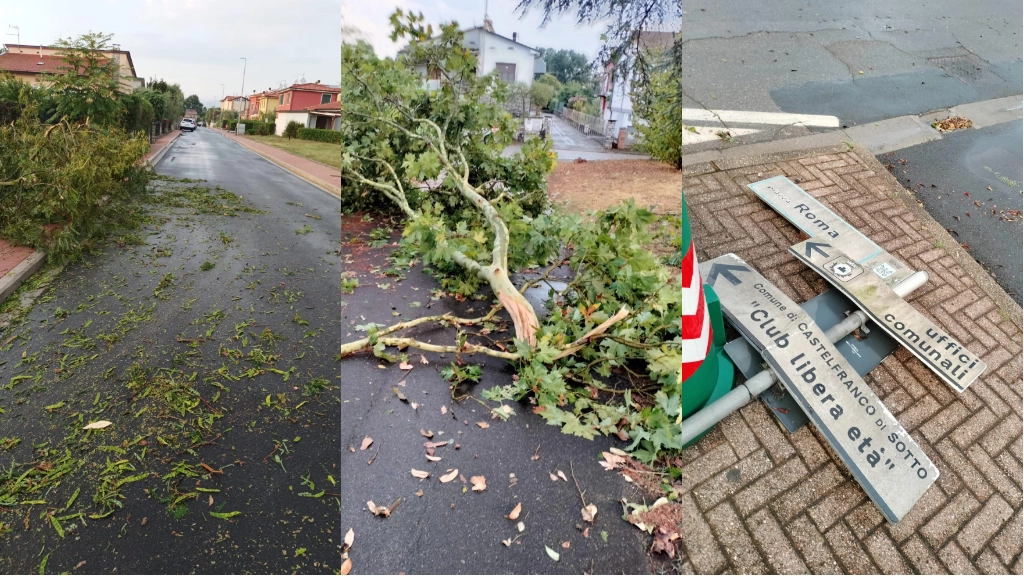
451,529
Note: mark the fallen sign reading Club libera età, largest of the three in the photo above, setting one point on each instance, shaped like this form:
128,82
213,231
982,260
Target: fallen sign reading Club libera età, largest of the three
883,458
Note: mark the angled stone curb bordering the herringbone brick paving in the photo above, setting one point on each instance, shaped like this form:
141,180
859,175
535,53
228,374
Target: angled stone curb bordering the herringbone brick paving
950,245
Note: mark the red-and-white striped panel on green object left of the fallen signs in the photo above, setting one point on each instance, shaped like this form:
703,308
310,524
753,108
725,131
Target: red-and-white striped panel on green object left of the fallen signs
697,322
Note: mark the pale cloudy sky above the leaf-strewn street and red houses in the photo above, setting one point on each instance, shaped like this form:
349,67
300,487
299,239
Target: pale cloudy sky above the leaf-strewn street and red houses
198,44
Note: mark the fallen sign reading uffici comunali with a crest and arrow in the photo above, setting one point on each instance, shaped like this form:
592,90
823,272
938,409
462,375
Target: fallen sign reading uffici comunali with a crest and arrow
943,354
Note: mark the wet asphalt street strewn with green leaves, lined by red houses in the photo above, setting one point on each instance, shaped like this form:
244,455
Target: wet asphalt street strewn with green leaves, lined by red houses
263,274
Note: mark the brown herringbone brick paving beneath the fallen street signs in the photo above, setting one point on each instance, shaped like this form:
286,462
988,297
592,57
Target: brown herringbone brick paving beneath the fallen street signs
758,500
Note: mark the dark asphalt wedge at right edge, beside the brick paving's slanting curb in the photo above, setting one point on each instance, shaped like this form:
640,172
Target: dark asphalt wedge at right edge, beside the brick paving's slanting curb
987,166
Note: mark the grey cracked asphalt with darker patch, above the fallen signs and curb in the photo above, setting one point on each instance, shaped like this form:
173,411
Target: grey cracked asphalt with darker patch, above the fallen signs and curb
861,62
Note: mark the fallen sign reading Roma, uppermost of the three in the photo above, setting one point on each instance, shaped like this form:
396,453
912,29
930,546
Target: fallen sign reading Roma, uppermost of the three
818,222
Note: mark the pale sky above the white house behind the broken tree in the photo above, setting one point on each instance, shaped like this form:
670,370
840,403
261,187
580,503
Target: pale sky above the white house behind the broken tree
371,19
